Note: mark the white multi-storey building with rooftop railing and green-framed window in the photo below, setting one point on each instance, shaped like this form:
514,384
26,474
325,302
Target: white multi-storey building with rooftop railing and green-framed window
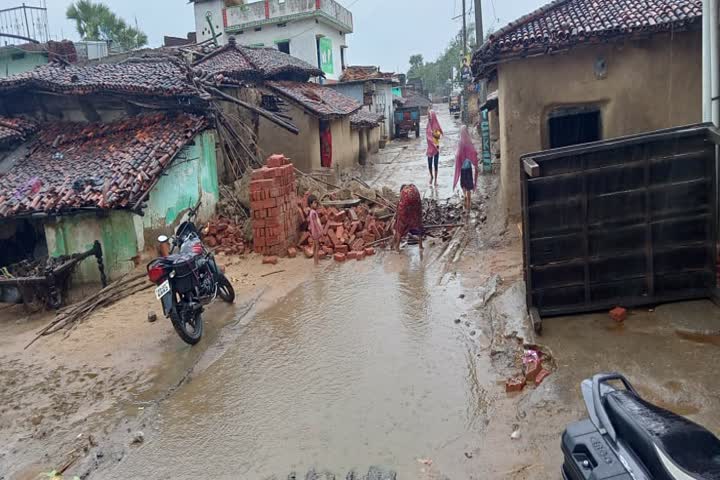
311,30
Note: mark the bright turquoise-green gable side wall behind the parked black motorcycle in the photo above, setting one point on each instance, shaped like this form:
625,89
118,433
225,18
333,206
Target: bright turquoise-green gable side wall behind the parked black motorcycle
192,175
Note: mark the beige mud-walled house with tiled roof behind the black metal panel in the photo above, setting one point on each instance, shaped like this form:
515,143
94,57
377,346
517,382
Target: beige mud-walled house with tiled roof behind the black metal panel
564,78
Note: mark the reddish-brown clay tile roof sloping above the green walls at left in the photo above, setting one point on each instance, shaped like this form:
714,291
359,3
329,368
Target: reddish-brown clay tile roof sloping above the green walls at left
71,166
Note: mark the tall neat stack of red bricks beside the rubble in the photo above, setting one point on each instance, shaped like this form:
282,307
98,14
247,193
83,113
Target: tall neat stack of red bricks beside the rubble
273,203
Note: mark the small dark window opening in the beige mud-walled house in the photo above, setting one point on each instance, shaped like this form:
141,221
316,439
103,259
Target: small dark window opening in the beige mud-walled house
571,126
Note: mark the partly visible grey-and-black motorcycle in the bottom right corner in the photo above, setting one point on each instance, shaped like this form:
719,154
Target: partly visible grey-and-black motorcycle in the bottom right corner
627,437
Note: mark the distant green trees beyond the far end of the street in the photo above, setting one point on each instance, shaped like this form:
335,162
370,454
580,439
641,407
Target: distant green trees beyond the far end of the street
437,75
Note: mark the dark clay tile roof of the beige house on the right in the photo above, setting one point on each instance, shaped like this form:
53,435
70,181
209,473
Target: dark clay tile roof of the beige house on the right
564,23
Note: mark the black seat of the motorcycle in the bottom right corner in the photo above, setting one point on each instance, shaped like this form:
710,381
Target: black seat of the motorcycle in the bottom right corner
670,446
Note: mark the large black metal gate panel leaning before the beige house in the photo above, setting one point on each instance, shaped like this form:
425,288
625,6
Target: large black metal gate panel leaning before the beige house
594,239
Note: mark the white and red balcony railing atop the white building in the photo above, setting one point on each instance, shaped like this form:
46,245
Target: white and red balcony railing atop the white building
267,11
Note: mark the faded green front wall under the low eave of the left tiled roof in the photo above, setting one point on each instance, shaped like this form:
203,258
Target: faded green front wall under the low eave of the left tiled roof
77,233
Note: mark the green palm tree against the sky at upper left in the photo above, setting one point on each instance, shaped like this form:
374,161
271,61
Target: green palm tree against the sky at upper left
95,21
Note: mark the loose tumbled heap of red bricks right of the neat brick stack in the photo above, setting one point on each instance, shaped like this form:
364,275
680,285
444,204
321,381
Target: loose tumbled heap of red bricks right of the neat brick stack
348,234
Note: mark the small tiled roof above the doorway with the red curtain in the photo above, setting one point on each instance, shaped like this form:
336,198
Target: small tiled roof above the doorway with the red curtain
321,101
